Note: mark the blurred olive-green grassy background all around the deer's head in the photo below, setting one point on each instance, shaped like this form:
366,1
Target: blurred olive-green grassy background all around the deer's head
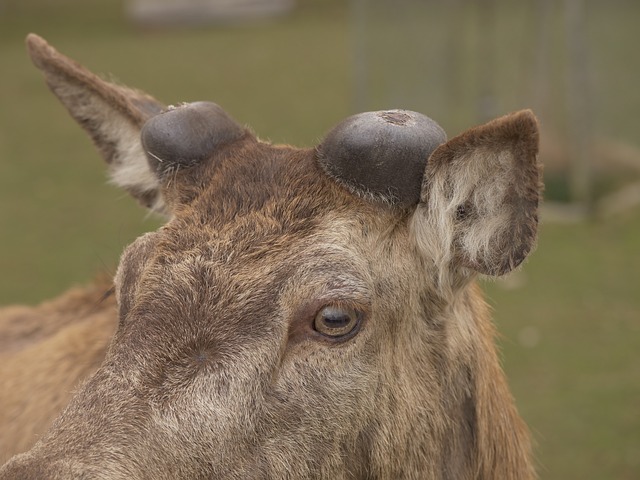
569,320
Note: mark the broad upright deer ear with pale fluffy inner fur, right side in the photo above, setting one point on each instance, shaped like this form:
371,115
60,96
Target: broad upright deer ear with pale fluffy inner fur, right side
479,199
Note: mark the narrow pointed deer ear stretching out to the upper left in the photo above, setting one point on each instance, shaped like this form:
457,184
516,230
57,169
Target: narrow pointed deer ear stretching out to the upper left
111,114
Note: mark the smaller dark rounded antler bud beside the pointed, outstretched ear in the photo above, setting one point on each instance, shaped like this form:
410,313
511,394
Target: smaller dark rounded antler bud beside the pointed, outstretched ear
185,135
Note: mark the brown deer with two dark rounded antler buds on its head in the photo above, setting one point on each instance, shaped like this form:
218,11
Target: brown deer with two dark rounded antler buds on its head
304,313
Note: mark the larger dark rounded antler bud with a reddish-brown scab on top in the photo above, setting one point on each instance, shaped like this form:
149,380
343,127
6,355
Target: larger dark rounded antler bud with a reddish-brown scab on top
381,156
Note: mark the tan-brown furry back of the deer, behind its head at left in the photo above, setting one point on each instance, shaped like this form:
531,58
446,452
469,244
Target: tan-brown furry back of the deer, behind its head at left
46,353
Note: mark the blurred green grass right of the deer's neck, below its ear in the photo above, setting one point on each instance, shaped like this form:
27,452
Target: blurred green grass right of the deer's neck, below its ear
571,343
